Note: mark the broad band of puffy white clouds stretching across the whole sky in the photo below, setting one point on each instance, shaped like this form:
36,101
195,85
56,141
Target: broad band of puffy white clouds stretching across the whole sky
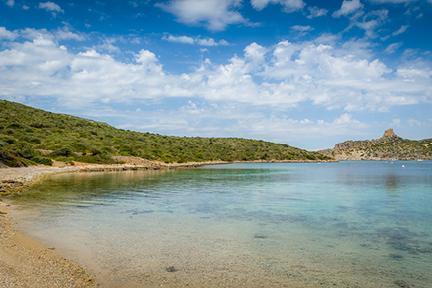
284,75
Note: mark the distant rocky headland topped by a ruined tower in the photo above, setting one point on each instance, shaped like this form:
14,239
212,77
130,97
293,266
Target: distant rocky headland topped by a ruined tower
389,146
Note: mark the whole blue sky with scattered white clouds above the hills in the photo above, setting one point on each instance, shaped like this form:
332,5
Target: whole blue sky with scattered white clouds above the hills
303,72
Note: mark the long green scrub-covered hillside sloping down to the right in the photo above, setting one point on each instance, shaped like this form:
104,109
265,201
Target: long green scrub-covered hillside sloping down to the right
29,136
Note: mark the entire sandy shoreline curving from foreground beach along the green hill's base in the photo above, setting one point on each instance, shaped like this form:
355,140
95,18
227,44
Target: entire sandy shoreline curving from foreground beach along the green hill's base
24,262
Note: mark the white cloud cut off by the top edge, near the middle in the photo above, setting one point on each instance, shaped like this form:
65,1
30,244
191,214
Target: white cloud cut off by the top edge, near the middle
214,14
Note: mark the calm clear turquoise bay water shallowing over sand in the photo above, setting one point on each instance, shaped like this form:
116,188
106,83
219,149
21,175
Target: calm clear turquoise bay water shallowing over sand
346,224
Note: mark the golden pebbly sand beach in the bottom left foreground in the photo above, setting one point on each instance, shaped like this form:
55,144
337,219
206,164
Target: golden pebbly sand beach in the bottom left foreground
26,263
